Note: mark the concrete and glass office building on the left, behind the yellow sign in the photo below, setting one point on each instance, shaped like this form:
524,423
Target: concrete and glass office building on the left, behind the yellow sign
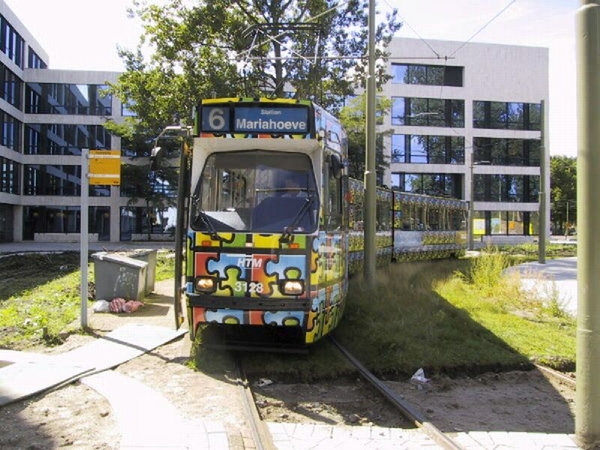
47,118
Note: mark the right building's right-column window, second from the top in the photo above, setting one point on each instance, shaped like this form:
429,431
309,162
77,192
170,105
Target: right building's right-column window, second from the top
507,152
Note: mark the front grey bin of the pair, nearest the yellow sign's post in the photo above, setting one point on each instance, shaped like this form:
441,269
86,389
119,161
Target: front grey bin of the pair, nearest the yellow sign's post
119,276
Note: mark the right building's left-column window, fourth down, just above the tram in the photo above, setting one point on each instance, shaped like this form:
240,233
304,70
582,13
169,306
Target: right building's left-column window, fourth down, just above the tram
441,185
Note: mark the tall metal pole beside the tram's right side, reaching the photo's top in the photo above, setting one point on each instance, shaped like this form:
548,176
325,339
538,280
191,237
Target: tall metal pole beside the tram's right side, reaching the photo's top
370,168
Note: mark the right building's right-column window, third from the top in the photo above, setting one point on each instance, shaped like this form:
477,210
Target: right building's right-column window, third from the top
506,188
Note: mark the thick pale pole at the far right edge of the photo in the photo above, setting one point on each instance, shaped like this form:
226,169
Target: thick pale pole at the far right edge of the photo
587,400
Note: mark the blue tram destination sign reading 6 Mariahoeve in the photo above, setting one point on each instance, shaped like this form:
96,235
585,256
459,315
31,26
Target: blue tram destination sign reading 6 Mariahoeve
271,119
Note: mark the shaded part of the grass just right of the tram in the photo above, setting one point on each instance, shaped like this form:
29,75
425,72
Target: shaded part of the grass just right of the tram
402,324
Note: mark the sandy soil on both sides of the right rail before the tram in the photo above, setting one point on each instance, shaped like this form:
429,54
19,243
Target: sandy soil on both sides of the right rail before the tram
513,401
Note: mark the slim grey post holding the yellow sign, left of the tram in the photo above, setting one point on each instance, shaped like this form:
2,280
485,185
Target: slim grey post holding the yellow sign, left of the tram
83,217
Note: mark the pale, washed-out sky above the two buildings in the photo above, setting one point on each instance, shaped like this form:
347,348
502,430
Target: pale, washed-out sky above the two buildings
84,35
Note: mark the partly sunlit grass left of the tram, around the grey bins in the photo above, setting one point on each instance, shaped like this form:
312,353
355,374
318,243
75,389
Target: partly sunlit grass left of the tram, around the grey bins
40,296
